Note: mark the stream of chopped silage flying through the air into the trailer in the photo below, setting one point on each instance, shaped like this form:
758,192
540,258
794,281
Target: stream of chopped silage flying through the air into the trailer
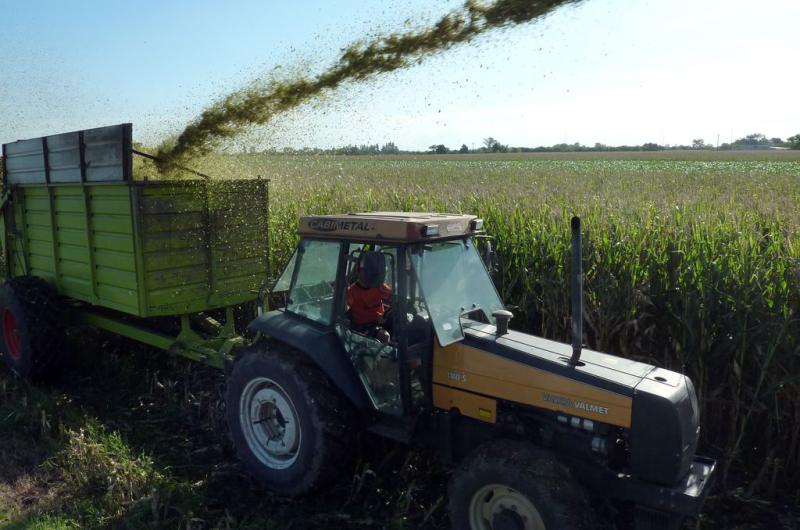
262,102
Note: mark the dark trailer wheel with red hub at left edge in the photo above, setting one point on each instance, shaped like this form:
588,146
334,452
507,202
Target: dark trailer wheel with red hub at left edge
31,332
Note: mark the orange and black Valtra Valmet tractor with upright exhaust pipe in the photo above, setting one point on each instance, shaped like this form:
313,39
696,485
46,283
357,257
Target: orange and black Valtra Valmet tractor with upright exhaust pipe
391,323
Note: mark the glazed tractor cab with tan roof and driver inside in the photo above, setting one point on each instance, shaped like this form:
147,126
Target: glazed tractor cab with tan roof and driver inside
388,285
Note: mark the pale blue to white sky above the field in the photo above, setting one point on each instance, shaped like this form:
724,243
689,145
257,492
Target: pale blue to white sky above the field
609,71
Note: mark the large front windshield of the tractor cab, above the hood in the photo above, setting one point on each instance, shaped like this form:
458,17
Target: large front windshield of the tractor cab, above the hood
454,282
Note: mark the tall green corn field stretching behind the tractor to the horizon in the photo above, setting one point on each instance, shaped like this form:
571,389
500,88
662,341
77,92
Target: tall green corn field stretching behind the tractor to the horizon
690,265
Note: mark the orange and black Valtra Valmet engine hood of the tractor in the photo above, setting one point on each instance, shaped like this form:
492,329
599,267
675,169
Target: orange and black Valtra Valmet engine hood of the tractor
658,407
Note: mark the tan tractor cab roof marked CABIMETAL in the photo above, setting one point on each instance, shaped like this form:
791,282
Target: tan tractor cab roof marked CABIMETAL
406,227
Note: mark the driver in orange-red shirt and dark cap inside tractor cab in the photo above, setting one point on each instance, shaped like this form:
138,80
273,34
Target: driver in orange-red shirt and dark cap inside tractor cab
369,296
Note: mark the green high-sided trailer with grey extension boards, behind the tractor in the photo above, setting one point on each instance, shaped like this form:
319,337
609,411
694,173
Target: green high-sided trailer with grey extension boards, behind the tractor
168,263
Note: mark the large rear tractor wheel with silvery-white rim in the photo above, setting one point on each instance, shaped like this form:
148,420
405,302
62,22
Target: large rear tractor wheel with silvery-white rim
290,427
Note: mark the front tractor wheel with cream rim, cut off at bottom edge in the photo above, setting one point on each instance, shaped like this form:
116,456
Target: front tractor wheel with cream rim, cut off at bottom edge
510,485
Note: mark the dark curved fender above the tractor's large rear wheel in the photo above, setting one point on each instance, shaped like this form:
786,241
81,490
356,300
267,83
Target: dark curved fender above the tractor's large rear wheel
321,345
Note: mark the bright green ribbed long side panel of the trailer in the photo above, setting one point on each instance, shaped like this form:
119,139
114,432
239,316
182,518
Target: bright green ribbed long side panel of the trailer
80,237
